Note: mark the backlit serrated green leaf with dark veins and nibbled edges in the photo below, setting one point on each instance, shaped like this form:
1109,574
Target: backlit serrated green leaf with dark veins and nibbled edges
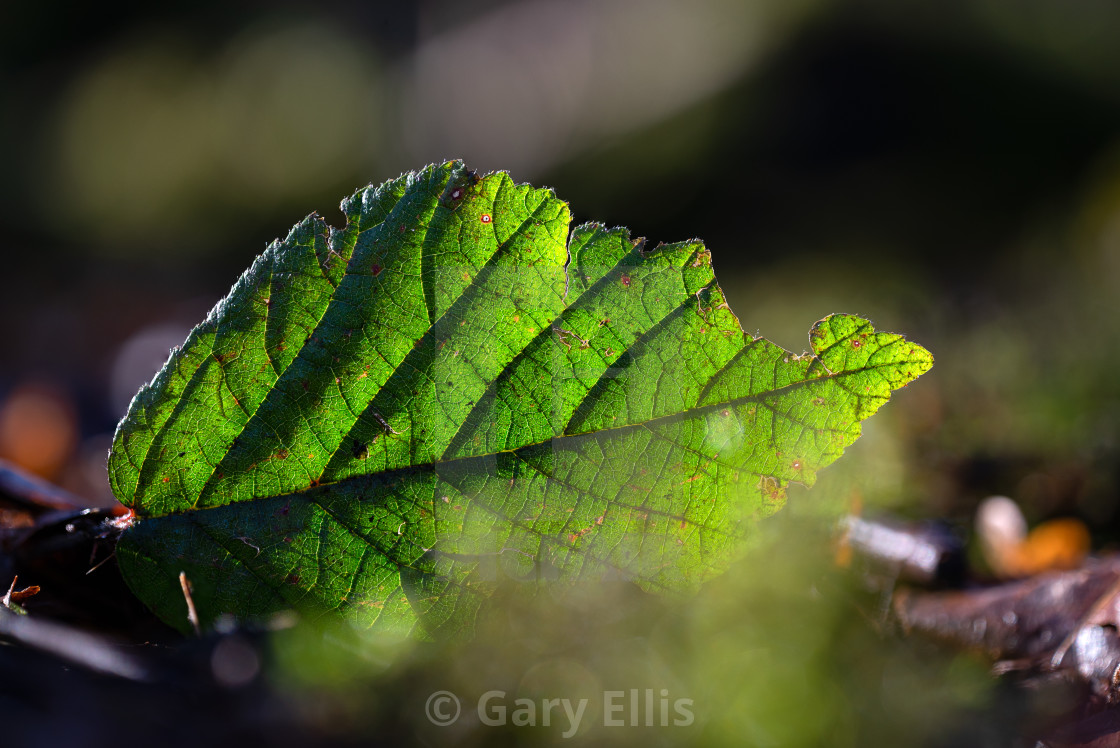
386,420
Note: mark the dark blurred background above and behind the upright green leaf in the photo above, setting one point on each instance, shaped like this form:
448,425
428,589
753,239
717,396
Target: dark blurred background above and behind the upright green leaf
949,170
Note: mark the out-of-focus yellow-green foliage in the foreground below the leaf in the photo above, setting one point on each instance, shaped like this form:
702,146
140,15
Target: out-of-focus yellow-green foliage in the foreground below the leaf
773,653
